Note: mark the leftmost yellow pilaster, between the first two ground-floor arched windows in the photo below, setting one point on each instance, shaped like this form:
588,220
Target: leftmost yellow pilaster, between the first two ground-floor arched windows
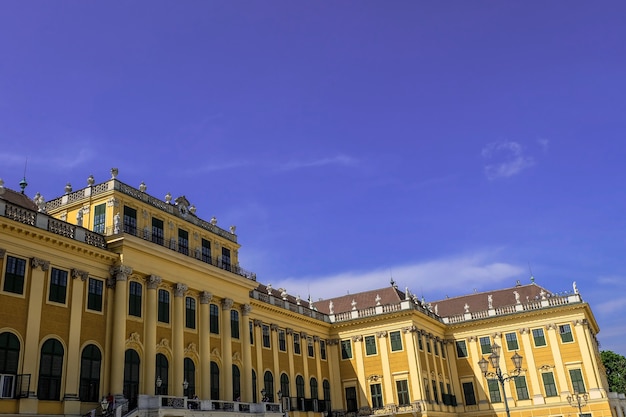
39,268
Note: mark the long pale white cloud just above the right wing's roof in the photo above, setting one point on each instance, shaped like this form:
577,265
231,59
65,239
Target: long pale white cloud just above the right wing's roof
463,272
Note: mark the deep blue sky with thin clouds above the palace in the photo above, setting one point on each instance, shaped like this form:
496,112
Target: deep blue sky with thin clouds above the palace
452,146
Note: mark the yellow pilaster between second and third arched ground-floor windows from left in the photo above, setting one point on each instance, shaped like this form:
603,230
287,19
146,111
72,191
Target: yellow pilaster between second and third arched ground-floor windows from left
76,297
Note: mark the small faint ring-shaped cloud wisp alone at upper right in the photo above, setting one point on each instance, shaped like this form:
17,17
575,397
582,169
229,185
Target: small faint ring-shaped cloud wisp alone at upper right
506,158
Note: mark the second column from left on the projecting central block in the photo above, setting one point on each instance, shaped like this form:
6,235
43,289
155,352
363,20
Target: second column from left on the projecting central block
149,366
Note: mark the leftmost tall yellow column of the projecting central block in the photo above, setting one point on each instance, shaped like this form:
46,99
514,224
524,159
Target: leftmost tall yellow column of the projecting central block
120,275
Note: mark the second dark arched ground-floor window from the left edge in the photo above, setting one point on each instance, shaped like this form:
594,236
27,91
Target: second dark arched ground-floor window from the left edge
50,370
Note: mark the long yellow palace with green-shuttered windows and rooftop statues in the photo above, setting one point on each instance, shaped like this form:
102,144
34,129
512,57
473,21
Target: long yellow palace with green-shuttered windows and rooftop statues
113,301
